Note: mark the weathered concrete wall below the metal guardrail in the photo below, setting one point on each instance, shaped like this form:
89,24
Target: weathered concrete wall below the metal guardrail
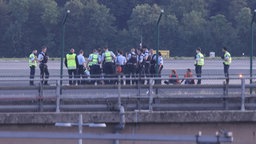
242,124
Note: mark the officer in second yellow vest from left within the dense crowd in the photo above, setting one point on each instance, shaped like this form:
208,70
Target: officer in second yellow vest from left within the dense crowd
94,61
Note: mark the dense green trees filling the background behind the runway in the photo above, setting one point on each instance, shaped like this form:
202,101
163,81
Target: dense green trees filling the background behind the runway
122,24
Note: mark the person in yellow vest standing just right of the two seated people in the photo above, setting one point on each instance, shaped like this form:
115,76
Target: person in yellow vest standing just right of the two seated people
199,62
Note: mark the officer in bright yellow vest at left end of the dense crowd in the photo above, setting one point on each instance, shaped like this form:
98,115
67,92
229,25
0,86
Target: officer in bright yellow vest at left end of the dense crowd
71,63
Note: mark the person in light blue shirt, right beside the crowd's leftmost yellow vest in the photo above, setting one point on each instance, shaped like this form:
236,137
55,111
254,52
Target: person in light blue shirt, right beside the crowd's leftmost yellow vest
81,67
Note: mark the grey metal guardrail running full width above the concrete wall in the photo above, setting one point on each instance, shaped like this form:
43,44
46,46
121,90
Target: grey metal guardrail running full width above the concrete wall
152,96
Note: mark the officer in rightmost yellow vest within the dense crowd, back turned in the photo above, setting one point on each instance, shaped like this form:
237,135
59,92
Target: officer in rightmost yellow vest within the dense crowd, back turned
108,58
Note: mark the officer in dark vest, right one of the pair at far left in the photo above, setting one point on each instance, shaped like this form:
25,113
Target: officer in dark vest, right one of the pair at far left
43,59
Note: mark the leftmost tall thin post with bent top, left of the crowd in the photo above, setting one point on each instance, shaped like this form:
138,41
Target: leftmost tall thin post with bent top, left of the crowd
63,44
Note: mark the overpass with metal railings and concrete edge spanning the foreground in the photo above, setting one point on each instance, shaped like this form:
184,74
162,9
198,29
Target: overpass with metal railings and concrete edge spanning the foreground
133,113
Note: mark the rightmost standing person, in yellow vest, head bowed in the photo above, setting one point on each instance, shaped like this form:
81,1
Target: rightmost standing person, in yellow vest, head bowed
226,62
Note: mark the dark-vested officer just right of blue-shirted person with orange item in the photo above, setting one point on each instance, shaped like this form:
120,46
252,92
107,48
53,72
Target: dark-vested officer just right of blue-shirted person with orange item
132,63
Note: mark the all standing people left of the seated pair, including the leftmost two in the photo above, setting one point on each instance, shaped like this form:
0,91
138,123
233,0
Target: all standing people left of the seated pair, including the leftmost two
101,63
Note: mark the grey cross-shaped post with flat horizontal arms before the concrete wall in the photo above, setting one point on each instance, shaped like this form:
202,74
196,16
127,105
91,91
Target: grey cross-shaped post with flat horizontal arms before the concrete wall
80,125
